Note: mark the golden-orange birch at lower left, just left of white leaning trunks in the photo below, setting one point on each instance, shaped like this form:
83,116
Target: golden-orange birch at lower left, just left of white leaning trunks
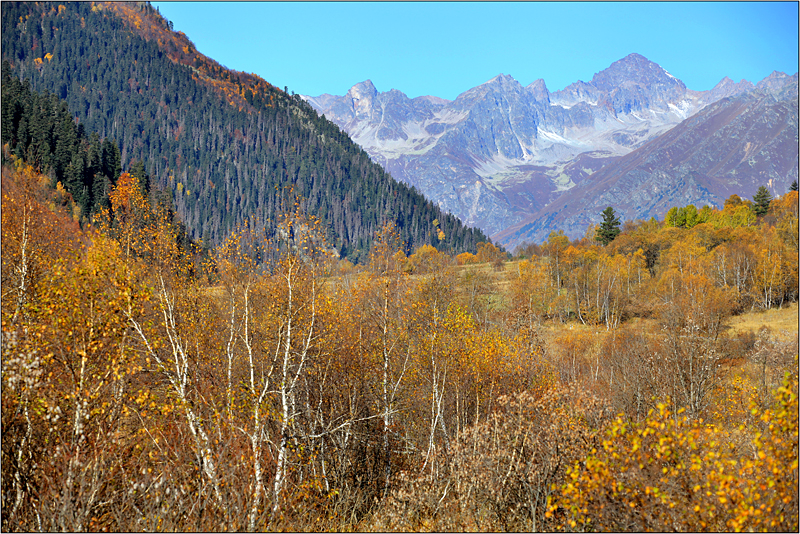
74,329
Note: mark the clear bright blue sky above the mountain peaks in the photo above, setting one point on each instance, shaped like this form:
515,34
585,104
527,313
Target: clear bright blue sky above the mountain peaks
445,48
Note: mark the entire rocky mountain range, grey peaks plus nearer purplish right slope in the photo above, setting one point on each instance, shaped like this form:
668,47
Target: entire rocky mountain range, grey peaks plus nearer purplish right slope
519,162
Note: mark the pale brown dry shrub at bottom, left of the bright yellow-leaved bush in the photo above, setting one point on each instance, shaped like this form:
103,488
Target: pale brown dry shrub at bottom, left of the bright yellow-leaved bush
500,472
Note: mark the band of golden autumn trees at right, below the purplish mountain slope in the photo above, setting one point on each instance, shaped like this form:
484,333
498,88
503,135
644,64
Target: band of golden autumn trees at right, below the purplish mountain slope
744,262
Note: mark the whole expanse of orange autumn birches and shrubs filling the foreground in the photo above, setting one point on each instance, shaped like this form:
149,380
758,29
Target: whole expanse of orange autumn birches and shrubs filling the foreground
145,387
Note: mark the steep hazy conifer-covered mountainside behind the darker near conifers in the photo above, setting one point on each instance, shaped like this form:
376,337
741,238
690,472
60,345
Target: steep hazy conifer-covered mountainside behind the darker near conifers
228,146
